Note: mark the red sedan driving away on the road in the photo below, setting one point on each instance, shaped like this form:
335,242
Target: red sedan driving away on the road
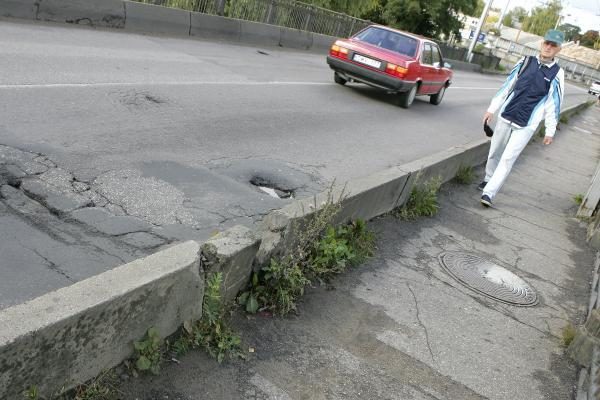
392,60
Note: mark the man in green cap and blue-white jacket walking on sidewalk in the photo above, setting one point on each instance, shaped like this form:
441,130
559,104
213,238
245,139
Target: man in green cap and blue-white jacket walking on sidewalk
533,91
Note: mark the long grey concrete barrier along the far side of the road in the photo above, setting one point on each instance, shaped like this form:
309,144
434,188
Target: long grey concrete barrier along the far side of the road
154,19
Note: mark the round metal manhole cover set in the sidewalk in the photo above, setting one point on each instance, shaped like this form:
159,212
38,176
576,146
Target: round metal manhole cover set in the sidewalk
489,279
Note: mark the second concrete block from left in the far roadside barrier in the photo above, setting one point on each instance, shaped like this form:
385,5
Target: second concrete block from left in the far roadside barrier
107,13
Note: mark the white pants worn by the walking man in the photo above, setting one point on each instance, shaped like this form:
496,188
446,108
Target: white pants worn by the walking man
507,144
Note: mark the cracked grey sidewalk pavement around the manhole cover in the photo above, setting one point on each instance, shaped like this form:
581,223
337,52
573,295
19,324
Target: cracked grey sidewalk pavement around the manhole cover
400,327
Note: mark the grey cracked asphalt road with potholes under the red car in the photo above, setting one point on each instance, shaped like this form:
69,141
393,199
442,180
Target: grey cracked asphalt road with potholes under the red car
169,132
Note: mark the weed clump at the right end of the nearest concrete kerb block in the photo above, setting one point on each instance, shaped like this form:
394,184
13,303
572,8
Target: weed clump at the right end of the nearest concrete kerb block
212,332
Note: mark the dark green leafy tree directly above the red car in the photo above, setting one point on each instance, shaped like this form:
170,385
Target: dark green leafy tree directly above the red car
428,18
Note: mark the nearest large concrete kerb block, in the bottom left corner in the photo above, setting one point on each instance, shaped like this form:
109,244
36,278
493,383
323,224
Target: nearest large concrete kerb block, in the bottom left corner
70,335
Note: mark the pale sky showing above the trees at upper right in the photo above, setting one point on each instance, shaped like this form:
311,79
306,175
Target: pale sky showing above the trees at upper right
582,13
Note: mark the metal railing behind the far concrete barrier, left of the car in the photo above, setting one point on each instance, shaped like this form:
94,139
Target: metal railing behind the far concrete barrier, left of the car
285,13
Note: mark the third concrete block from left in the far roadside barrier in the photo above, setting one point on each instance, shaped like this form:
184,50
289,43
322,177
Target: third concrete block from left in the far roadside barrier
149,18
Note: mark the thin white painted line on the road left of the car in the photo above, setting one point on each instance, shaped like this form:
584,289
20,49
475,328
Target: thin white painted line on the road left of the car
108,84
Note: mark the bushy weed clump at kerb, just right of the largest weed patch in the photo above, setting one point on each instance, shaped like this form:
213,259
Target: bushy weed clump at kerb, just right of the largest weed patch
422,201
